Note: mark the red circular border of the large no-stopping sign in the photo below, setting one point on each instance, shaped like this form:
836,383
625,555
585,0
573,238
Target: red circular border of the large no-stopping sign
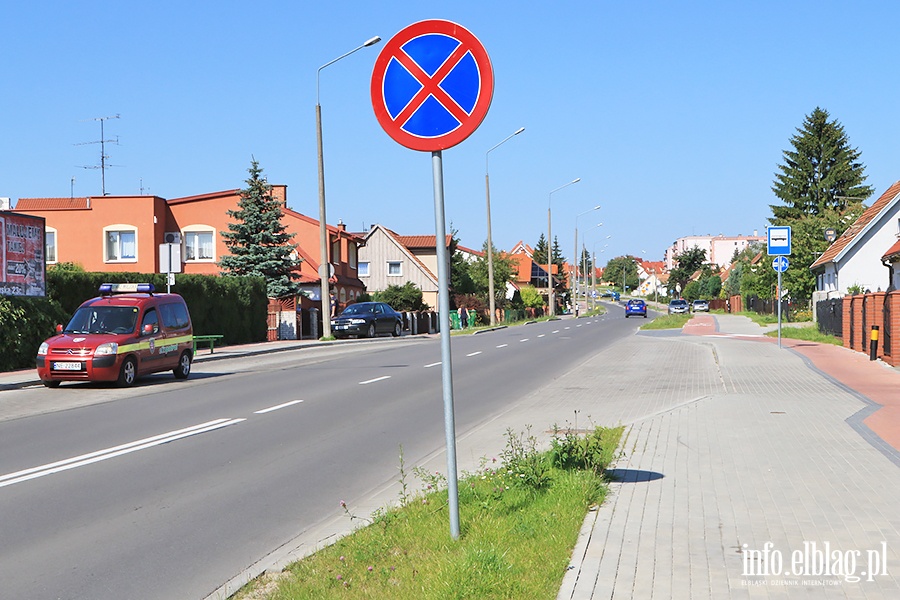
393,47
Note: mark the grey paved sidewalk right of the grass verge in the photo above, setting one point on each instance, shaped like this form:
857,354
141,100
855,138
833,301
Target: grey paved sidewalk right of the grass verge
764,466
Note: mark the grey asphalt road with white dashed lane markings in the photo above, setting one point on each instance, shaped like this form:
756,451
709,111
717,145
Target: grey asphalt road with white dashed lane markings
171,488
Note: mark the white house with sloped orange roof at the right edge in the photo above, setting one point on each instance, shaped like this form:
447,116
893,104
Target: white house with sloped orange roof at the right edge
866,254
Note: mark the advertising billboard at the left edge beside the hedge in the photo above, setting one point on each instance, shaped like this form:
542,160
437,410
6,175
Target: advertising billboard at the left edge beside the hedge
22,259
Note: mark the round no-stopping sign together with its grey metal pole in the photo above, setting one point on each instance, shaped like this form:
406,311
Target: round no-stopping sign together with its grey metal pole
431,87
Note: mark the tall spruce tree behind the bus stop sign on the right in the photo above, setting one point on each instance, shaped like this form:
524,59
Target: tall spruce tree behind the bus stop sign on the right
821,173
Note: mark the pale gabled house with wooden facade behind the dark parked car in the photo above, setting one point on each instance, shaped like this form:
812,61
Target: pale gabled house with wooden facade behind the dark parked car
390,259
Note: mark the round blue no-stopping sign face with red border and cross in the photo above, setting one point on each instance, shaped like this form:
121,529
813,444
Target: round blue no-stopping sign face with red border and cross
432,85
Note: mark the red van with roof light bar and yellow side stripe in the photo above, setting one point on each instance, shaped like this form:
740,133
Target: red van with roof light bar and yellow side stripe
126,332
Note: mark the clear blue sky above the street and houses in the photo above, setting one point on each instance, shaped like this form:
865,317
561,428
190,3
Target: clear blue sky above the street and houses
673,114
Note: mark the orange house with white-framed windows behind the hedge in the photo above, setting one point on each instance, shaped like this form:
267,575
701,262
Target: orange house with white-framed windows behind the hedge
124,233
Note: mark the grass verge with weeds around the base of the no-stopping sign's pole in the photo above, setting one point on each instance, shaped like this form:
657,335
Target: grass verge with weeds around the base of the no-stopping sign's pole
519,518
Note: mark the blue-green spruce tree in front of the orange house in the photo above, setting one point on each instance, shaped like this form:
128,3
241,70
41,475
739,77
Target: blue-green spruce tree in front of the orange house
258,241
